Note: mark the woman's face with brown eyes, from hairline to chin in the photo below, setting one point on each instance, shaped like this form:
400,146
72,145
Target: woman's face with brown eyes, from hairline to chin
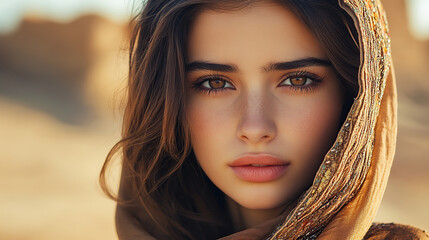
263,103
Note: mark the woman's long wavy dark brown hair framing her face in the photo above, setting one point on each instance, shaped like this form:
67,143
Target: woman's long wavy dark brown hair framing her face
160,171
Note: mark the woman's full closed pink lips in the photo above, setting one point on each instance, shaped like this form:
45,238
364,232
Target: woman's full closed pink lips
259,167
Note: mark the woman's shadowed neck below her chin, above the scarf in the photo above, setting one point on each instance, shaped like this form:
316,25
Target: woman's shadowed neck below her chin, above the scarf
244,218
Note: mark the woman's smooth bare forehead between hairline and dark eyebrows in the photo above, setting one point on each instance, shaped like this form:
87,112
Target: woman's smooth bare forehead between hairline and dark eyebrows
261,31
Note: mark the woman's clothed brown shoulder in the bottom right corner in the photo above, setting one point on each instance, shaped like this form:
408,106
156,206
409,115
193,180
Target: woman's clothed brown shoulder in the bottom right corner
393,231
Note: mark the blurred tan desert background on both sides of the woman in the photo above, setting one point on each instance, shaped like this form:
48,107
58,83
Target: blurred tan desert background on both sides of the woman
61,85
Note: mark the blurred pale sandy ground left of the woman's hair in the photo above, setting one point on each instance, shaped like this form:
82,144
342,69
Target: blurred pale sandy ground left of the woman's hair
49,177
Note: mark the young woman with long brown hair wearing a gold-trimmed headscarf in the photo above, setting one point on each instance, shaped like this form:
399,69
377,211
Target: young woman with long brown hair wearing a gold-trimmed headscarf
258,119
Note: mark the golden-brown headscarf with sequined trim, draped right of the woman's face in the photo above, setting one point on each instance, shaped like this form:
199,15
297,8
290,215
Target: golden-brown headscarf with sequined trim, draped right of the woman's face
349,185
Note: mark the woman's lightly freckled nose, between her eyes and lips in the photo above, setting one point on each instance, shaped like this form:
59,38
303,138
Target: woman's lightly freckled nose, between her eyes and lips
256,123
